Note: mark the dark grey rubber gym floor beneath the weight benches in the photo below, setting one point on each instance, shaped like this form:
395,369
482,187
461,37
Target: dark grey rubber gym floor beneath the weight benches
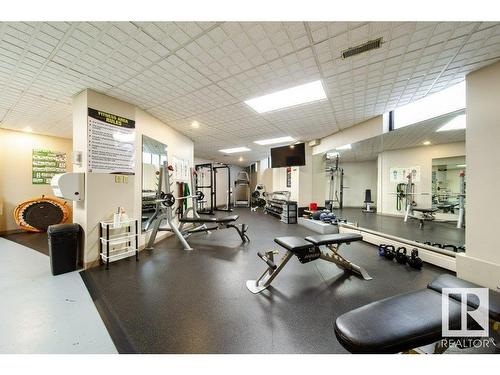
174,301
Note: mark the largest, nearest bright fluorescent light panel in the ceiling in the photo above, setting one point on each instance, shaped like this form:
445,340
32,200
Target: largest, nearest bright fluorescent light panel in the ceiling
307,93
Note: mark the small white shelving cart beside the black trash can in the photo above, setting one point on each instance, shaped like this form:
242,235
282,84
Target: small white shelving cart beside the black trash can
118,241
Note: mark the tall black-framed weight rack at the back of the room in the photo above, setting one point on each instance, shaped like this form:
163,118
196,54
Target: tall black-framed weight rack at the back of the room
210,186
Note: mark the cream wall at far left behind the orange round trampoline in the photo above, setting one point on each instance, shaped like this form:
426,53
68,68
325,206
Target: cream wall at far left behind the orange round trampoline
16,150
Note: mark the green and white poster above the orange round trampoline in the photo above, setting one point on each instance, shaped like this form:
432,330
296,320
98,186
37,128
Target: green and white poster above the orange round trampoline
45,165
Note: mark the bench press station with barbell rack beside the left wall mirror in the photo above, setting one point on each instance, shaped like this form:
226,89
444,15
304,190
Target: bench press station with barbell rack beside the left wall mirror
165,206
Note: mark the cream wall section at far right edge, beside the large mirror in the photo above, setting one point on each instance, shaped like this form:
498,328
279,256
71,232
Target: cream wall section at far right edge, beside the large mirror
481,262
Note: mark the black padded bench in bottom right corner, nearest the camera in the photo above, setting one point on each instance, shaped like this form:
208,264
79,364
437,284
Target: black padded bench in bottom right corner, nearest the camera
408,321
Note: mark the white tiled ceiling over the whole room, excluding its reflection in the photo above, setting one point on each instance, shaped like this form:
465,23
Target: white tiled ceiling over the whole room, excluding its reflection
181,72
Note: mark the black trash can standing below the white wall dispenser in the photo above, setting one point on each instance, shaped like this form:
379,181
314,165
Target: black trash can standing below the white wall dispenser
64,243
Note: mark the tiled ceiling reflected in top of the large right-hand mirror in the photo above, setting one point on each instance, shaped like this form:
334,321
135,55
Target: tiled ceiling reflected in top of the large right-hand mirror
404,138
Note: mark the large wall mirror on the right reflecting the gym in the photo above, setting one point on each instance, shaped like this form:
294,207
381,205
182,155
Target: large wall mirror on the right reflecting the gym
367,182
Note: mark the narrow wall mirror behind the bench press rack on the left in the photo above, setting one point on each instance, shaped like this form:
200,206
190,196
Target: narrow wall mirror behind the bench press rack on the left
154,154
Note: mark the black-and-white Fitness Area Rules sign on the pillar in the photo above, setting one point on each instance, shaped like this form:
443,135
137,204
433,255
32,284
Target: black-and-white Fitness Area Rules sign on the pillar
111,143
